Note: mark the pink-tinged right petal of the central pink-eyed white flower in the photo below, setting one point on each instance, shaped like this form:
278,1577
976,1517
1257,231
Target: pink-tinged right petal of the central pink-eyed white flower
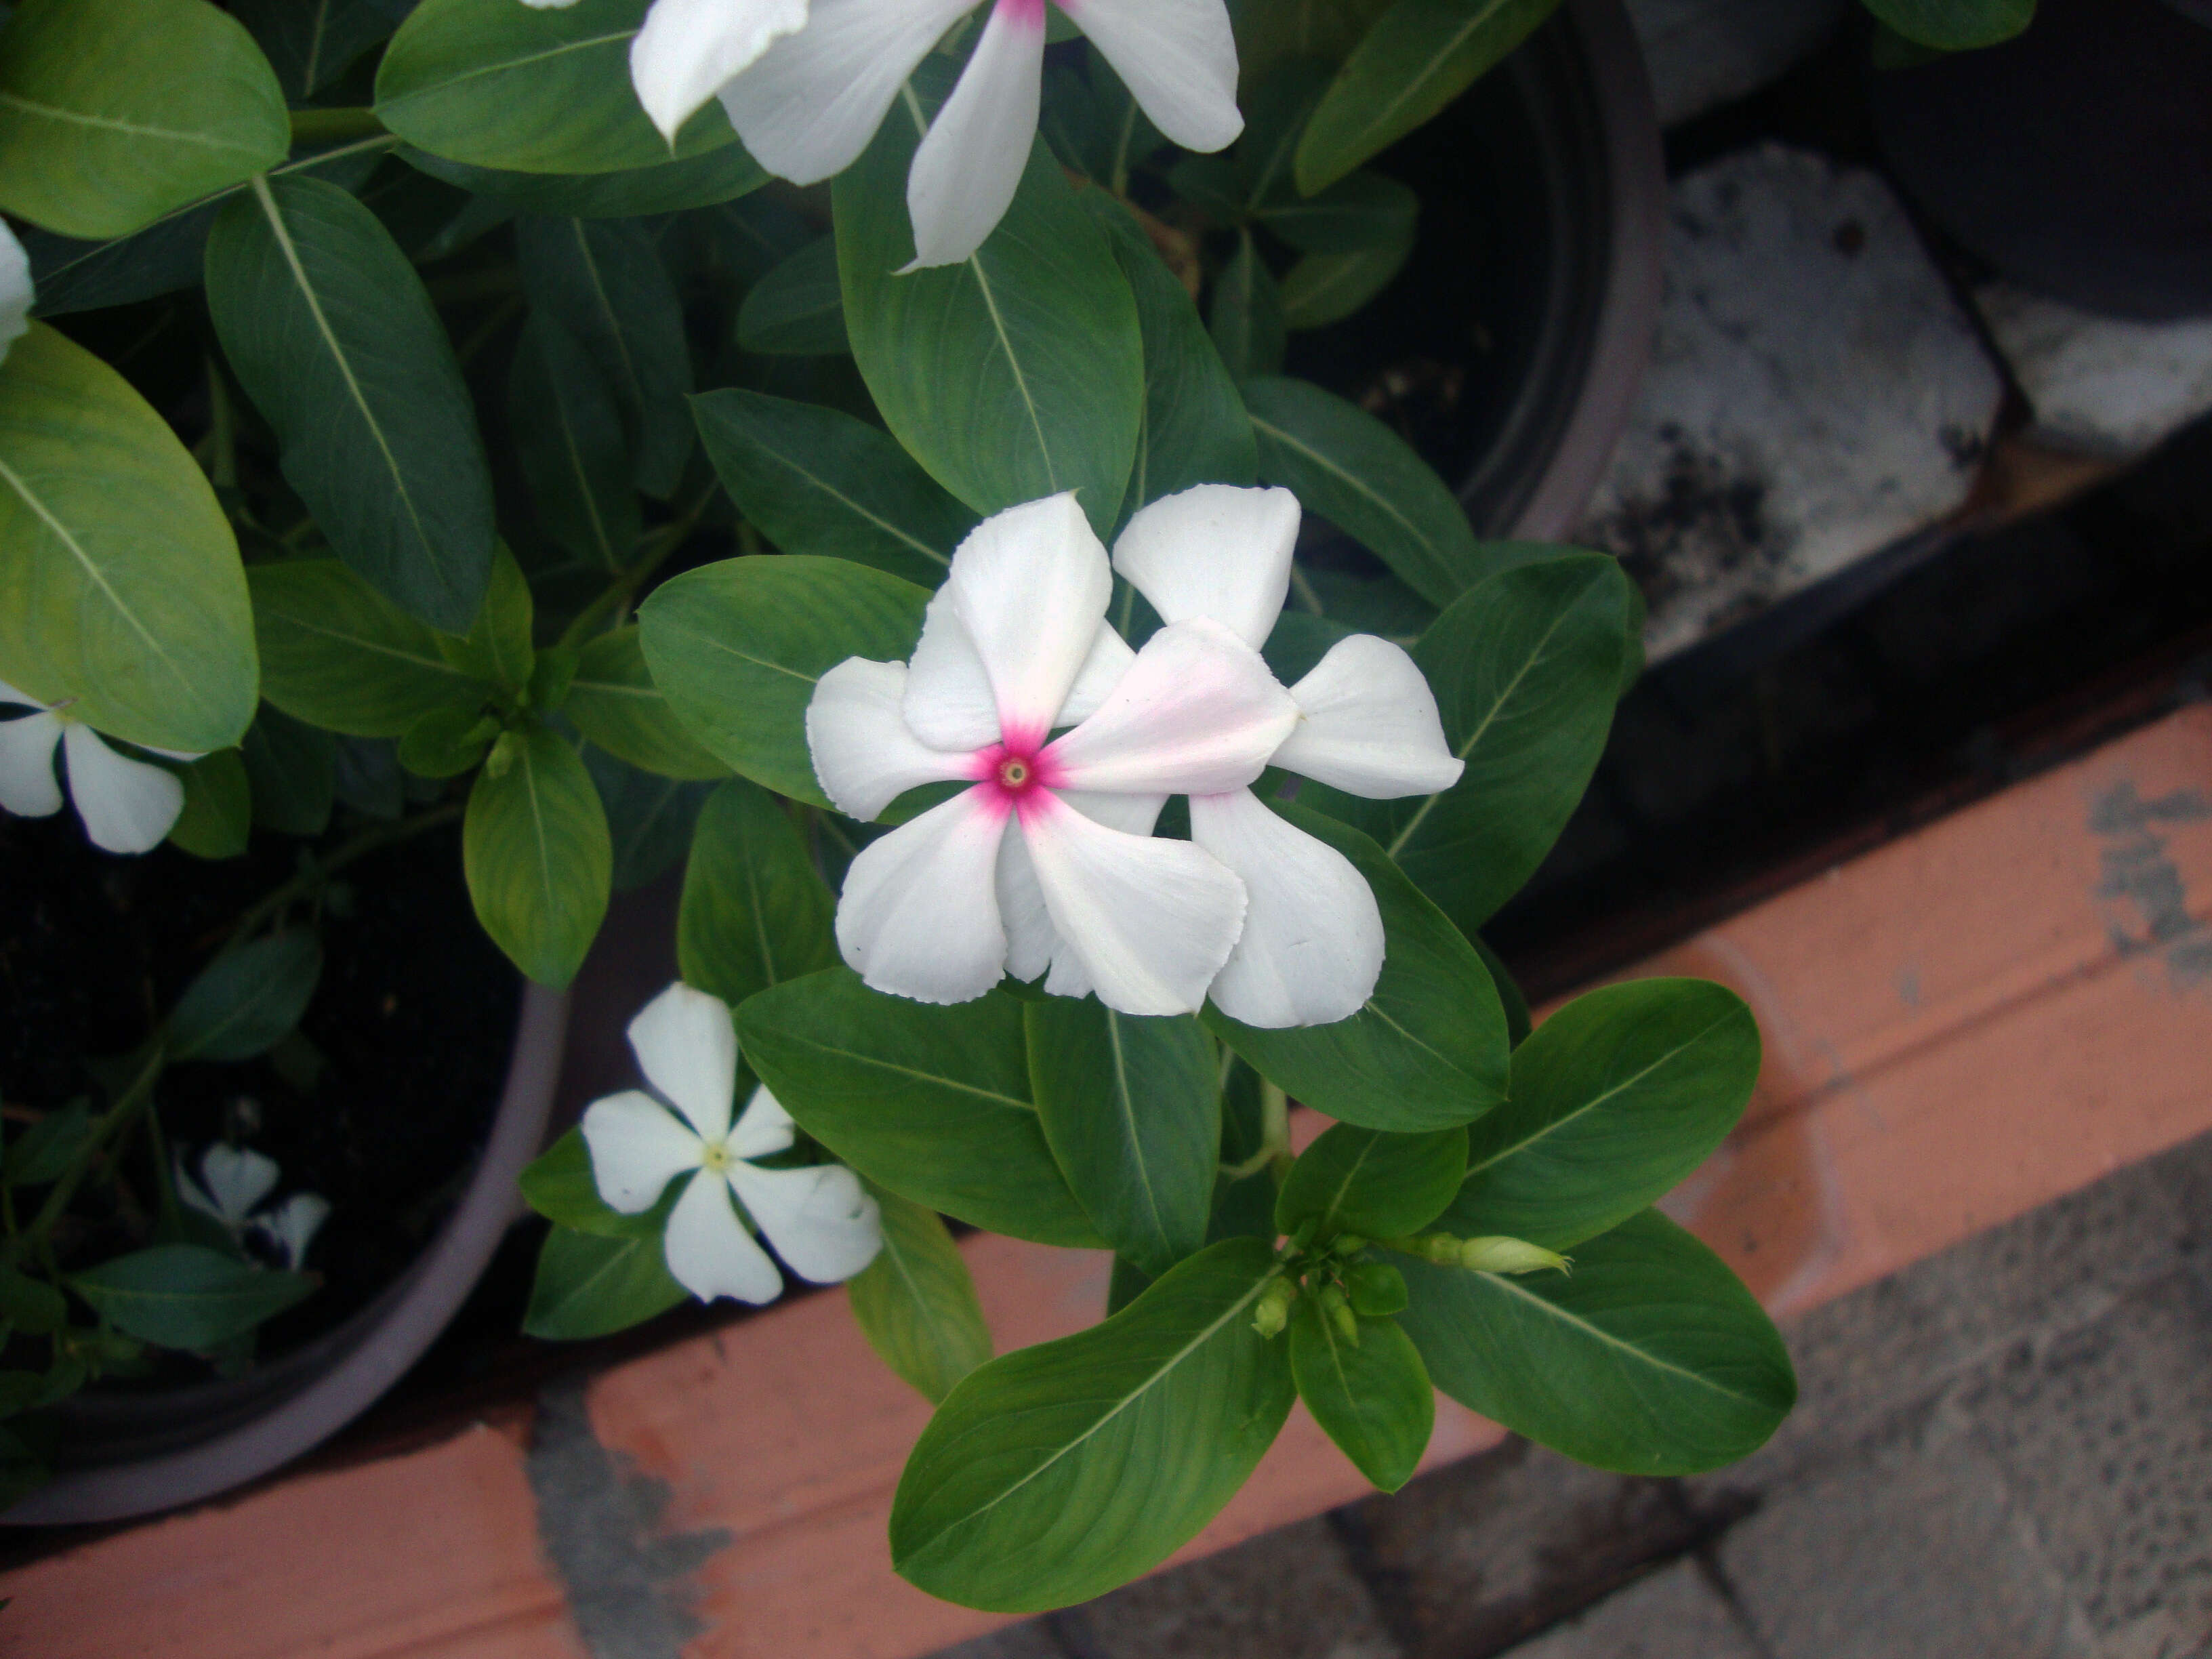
1198,713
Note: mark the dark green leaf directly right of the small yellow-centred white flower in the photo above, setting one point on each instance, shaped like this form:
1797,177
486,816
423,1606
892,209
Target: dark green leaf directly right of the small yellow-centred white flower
928,1103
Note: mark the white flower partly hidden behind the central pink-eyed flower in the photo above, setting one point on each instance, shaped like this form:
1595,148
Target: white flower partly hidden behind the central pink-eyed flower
1368,724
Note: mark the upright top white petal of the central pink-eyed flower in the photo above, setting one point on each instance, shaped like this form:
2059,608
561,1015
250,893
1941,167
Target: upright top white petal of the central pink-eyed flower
1032,587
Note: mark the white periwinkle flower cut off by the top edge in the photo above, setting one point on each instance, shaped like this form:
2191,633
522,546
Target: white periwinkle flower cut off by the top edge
806,85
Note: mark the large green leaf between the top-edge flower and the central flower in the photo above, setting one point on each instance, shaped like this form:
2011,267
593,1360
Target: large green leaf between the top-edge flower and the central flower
1014,375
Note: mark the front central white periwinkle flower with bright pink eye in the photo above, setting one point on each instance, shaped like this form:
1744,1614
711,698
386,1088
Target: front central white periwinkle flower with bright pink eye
1014,647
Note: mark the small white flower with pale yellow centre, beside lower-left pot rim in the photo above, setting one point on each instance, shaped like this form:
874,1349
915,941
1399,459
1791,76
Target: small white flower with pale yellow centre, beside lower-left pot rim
817,1218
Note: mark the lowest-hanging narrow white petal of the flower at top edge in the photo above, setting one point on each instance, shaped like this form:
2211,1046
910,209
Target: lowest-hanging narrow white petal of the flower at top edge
972,160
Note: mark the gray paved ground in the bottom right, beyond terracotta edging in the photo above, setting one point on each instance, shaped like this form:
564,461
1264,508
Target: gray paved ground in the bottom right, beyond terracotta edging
2001,1454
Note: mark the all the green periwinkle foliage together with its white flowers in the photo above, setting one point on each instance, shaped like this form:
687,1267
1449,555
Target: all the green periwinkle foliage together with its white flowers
784,437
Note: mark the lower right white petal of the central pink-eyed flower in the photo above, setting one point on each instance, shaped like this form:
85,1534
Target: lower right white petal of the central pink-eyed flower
1149,921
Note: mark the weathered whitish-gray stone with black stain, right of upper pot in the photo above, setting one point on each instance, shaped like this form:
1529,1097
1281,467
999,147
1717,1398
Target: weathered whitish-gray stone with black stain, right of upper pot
1815,395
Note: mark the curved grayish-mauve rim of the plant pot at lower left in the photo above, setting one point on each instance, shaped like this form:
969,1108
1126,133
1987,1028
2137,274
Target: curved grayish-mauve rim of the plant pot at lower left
375,1348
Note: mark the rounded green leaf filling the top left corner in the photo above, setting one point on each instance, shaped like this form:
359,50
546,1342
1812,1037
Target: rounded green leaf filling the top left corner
118,112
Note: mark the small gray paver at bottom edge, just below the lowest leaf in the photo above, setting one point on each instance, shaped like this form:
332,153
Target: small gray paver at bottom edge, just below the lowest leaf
1286,1596
